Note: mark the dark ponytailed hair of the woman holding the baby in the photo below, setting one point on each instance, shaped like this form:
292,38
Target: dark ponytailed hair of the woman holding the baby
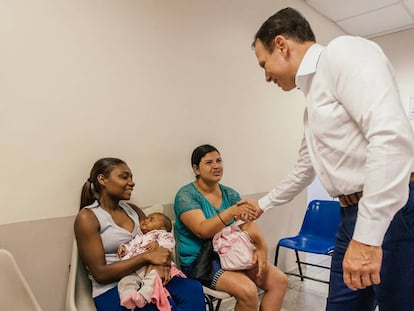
91,188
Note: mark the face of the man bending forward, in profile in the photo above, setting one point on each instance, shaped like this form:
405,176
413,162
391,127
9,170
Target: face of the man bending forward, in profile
276,66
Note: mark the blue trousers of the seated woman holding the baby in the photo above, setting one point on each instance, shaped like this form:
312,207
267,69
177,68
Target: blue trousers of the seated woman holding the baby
186,295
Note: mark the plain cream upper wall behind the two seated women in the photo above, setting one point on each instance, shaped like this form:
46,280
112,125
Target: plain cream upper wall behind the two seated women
145,81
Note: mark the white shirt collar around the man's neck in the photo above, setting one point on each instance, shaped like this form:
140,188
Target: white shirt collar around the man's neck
308,65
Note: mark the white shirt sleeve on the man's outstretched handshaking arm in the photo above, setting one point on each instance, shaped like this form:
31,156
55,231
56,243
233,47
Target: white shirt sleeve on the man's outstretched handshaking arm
296,181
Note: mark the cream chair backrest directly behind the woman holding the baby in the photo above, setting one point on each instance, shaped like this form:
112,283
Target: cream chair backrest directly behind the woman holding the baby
79,292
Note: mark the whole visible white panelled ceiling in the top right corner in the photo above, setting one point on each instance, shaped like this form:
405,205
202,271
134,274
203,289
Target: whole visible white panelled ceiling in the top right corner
367,18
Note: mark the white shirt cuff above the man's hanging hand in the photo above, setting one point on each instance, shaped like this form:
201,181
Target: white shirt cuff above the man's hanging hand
370,232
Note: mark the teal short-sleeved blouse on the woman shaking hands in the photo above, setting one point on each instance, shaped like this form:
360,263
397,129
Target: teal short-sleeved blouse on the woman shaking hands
189,198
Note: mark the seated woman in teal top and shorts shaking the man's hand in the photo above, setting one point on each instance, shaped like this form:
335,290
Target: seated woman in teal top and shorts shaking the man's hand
203,208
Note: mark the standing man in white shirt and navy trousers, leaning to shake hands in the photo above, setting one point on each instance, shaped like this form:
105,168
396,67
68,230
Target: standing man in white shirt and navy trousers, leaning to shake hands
360,144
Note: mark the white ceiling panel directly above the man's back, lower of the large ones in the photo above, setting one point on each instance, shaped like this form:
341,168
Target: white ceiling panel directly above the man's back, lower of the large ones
377,22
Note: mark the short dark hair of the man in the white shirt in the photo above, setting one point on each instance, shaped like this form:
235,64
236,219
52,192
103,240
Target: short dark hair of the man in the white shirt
287,22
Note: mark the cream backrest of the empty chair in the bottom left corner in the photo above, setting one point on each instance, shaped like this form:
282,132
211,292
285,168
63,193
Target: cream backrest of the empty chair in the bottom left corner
15,293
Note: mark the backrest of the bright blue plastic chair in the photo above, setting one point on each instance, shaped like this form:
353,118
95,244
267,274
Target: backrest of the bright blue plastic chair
321,219
